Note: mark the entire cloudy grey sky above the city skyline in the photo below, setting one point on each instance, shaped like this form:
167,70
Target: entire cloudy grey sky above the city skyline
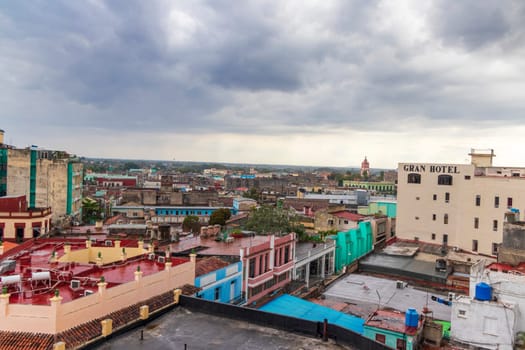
283,82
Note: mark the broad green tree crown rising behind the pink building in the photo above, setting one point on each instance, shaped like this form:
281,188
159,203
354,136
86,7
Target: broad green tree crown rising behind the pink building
268,220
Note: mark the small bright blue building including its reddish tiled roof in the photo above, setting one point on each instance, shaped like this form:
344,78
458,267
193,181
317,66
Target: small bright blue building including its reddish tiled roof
219,280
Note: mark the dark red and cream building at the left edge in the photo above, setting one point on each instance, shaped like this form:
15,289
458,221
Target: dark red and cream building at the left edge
19,223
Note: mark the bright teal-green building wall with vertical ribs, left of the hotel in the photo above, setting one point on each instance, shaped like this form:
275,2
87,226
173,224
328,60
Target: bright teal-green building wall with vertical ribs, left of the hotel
352,244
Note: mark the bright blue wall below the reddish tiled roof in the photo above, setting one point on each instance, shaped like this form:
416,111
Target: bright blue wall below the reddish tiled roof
218,282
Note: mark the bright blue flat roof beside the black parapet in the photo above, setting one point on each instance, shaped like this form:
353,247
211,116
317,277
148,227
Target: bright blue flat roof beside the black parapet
295,307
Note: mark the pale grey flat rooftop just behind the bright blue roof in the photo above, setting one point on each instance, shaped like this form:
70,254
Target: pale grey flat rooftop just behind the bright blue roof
361,292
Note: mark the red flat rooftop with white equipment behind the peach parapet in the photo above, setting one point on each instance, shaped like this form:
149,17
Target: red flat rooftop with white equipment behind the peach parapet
33,278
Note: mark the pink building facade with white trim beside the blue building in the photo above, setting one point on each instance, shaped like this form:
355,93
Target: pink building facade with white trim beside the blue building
268,266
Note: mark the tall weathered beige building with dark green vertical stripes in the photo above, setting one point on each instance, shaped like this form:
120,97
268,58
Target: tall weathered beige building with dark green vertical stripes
47,178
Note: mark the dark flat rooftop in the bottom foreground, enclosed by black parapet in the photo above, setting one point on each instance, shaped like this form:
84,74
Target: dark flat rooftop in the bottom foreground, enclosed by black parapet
203,331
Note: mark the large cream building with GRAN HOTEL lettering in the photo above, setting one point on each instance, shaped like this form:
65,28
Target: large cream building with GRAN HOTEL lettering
458,205
